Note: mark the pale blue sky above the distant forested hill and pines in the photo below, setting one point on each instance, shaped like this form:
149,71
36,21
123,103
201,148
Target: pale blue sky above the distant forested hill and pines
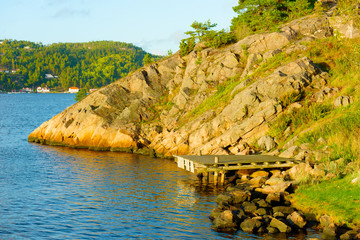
154,25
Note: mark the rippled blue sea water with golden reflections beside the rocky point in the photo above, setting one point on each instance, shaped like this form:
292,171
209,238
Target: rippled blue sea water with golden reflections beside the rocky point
62,193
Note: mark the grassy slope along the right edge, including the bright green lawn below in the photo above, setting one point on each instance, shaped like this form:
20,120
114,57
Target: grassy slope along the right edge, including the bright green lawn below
340,127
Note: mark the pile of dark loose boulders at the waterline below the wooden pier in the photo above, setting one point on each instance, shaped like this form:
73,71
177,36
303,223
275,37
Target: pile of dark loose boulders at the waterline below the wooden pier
260,202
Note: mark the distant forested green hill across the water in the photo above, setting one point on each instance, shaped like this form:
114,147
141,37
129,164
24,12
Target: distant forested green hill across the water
84,65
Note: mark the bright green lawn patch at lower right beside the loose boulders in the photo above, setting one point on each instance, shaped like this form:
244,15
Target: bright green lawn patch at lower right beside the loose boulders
340,199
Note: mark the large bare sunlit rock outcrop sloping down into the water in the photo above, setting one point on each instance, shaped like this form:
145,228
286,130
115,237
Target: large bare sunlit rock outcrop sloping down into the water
175,106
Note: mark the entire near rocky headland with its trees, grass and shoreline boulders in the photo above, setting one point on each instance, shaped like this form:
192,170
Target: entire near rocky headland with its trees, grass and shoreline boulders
284,81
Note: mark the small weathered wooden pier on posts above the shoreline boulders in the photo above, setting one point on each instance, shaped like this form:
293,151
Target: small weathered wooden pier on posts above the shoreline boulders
218,165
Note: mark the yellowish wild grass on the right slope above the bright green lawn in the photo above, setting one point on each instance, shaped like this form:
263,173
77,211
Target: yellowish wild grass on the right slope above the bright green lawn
340,127
